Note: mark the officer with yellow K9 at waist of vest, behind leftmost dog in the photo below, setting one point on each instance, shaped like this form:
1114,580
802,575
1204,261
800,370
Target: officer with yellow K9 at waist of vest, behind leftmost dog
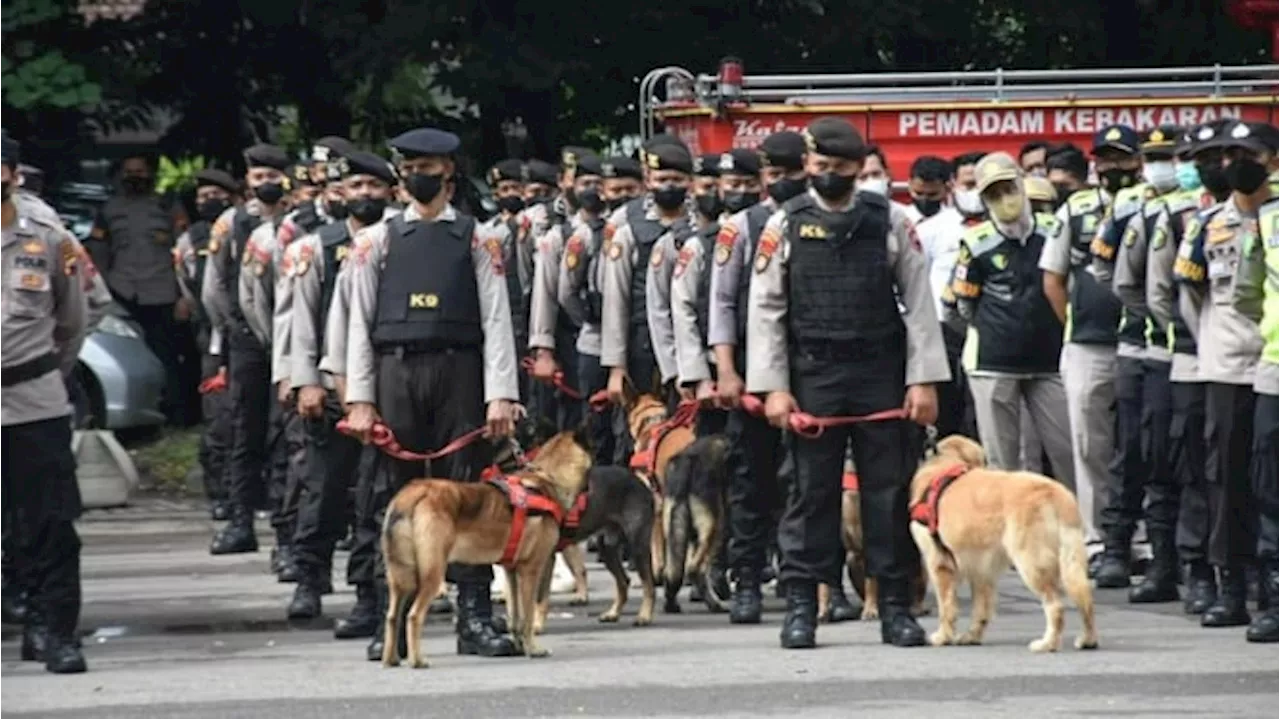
431,349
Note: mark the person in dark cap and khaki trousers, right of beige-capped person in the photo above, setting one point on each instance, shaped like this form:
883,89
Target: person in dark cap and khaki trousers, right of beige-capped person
1091,315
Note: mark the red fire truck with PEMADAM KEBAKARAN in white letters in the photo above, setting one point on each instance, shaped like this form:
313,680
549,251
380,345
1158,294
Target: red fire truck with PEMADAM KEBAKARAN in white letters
950,113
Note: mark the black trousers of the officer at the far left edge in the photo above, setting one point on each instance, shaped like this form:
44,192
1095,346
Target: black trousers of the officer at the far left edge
38,484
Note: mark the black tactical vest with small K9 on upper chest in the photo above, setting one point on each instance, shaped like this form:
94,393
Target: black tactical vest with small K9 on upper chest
840,285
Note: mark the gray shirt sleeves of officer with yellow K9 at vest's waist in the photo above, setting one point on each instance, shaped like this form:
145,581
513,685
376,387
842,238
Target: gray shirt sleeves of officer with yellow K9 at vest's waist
367,268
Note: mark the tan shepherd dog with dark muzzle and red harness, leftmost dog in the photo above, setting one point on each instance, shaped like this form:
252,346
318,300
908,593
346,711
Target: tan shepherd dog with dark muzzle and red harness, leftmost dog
435,523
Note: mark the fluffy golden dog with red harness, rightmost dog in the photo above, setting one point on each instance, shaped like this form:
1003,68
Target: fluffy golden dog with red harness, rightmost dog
986,520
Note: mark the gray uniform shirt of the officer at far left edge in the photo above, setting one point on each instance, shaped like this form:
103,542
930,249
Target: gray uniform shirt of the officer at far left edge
43,312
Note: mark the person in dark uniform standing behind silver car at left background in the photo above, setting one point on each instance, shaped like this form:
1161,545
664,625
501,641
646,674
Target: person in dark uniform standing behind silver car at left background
132,244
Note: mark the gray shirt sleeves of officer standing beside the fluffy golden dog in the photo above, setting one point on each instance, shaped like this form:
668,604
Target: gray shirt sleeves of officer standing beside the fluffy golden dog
767,363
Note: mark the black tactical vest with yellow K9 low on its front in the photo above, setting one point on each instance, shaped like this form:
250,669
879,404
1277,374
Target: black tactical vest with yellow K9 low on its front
428,299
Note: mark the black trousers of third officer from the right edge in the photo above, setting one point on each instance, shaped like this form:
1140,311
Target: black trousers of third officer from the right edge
1187,462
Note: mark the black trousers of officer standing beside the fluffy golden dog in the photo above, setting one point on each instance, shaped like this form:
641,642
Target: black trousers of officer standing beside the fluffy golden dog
886,454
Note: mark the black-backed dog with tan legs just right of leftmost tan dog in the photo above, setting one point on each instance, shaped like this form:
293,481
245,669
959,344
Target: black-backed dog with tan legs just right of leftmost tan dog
619,509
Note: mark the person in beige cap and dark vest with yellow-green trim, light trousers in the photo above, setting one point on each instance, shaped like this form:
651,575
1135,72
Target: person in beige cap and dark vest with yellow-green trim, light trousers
1012,356
